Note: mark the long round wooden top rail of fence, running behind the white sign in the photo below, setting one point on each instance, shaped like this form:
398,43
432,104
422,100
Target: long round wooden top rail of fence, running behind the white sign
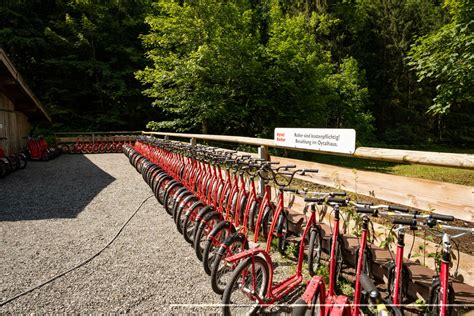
464,161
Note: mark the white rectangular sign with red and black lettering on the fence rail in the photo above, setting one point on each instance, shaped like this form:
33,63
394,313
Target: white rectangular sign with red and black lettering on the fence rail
340,140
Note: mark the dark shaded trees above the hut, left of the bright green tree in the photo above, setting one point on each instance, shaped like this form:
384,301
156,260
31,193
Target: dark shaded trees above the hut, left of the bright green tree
79,58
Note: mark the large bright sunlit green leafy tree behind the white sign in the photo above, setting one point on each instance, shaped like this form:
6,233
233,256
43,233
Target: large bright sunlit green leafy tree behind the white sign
216,68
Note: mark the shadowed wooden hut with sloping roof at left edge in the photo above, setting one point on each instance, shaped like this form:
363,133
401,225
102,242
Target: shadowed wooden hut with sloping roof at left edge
18,107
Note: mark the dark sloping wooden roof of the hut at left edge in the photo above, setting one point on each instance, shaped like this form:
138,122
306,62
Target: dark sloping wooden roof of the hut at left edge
15,88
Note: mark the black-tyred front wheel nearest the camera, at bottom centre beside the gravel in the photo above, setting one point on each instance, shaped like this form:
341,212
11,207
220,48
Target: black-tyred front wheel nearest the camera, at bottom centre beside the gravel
247,286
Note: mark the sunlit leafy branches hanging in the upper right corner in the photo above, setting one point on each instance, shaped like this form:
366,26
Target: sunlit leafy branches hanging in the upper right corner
446,57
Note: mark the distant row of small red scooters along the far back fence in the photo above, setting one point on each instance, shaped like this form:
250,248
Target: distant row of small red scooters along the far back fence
100,145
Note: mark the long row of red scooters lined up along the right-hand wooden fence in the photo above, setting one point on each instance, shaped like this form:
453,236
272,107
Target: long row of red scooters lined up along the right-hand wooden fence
211,195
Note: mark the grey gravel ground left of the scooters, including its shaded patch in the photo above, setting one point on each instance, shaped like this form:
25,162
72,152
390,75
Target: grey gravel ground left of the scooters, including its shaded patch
55,214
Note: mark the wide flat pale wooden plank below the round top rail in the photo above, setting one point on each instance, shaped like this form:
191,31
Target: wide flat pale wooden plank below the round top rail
438,197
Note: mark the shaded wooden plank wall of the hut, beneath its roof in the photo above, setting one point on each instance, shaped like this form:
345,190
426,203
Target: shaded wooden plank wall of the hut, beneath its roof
14,126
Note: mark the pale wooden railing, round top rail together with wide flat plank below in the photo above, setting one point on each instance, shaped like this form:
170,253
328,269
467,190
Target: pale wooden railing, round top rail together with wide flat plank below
428,195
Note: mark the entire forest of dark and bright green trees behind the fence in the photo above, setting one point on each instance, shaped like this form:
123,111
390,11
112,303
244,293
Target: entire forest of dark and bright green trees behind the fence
400,72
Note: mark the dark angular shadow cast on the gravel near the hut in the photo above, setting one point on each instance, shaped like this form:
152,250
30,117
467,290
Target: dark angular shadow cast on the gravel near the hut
59,188
